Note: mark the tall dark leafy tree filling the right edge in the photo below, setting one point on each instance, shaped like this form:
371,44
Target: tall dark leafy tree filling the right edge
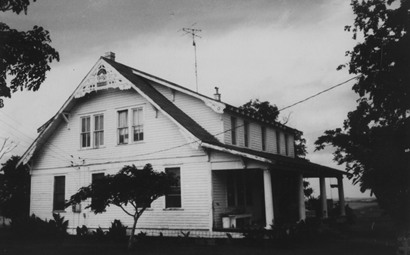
372,141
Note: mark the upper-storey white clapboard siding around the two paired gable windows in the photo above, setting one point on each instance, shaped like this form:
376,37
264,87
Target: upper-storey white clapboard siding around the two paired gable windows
160,134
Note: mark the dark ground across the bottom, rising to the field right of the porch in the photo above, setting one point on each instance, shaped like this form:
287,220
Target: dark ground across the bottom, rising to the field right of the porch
371,234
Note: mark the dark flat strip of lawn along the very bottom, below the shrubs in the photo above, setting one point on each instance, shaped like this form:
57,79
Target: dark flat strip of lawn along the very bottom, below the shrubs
74,247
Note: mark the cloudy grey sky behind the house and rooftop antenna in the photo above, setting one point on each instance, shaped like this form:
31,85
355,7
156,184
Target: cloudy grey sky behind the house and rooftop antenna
280,51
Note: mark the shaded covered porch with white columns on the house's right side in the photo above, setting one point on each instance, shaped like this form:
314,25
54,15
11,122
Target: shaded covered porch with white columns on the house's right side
251,192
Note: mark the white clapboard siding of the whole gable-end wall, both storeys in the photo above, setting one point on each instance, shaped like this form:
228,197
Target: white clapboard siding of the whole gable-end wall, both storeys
161,137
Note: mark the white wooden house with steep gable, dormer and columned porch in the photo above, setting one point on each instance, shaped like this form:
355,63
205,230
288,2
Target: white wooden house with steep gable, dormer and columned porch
235,168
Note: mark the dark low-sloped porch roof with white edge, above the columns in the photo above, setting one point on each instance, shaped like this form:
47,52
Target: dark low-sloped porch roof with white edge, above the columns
307,168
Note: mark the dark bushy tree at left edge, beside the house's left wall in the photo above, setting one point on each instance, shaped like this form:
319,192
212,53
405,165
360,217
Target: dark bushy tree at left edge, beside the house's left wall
14,189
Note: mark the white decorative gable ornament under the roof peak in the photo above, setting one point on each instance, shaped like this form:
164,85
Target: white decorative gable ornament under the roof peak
103,76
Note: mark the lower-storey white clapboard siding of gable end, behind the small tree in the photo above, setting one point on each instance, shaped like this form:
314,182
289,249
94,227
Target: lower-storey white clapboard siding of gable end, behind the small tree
194,214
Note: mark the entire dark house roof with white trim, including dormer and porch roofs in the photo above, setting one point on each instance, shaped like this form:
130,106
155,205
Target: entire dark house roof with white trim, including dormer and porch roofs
125,77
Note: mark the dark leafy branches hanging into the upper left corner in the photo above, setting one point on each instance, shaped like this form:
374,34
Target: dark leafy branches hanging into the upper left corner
25,56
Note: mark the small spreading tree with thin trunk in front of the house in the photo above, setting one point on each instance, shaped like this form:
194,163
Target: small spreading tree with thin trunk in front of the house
131,189
